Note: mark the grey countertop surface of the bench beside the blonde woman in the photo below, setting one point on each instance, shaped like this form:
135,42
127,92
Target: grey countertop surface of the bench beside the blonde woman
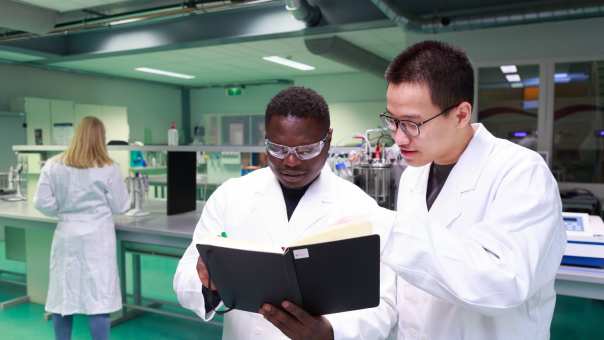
157,222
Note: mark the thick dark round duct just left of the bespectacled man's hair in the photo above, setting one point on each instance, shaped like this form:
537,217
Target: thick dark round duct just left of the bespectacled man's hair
343,52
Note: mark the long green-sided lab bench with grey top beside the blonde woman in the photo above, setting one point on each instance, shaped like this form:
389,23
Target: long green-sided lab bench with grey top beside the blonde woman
156,234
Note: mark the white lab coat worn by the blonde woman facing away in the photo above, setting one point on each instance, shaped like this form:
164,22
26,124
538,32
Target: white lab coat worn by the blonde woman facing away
83,265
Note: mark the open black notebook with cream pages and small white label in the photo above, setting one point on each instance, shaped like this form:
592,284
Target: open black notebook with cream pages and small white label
320,276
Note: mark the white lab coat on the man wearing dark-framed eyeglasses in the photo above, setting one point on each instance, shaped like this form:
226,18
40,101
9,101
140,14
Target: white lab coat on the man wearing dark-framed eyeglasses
481,263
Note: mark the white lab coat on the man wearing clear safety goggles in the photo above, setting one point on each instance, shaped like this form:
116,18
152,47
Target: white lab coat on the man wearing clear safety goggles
252,208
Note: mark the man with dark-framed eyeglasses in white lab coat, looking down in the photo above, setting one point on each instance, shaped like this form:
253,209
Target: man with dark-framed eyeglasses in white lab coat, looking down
479,234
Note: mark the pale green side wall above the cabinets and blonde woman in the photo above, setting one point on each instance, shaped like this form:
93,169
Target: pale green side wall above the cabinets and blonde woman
150,106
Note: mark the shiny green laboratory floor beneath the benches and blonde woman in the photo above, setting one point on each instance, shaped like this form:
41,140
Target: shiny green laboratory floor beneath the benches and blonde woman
574,318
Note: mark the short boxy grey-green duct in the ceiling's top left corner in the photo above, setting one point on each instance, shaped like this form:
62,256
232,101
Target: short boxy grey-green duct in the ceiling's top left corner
23,17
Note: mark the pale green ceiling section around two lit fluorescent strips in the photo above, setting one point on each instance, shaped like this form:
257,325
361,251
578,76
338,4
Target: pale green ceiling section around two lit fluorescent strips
215,64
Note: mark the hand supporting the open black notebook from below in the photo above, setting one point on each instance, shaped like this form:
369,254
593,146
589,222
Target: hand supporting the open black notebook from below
296,323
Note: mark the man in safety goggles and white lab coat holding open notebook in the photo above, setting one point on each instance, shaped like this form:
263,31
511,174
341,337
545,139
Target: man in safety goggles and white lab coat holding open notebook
295,197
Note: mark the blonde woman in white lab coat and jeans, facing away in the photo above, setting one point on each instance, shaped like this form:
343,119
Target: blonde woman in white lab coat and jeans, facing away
83,188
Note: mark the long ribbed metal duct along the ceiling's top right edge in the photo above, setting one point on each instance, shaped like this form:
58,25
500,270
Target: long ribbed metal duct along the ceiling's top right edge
490,17
